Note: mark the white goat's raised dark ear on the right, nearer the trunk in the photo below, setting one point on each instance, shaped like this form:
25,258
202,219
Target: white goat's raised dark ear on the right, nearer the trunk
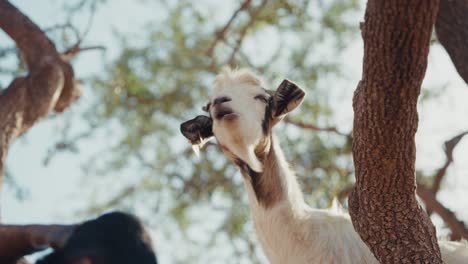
287,97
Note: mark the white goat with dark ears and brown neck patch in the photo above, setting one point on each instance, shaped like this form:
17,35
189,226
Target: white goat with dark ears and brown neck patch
242,115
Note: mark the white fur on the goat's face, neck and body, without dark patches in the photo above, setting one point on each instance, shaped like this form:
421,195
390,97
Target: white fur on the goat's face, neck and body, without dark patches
291,231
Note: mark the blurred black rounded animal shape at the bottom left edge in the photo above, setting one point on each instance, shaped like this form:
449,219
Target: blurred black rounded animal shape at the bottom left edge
113,238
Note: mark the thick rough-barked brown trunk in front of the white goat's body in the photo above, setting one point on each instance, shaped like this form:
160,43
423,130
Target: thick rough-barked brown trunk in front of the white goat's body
383,204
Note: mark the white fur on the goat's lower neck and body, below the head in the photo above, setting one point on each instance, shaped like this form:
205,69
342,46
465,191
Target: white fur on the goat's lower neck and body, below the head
293,232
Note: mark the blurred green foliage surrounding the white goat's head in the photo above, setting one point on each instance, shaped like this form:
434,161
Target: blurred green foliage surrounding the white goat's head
151,88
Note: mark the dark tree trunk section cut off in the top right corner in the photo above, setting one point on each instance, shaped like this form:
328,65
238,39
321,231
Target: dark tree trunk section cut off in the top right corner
452,31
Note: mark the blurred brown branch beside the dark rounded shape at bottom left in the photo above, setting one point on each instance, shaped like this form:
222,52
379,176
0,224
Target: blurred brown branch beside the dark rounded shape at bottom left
20,240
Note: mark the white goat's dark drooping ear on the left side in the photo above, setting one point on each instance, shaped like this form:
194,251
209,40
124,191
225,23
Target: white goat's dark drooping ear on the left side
198,129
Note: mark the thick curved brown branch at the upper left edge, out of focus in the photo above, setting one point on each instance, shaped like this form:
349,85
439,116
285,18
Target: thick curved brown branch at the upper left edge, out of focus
49,85
